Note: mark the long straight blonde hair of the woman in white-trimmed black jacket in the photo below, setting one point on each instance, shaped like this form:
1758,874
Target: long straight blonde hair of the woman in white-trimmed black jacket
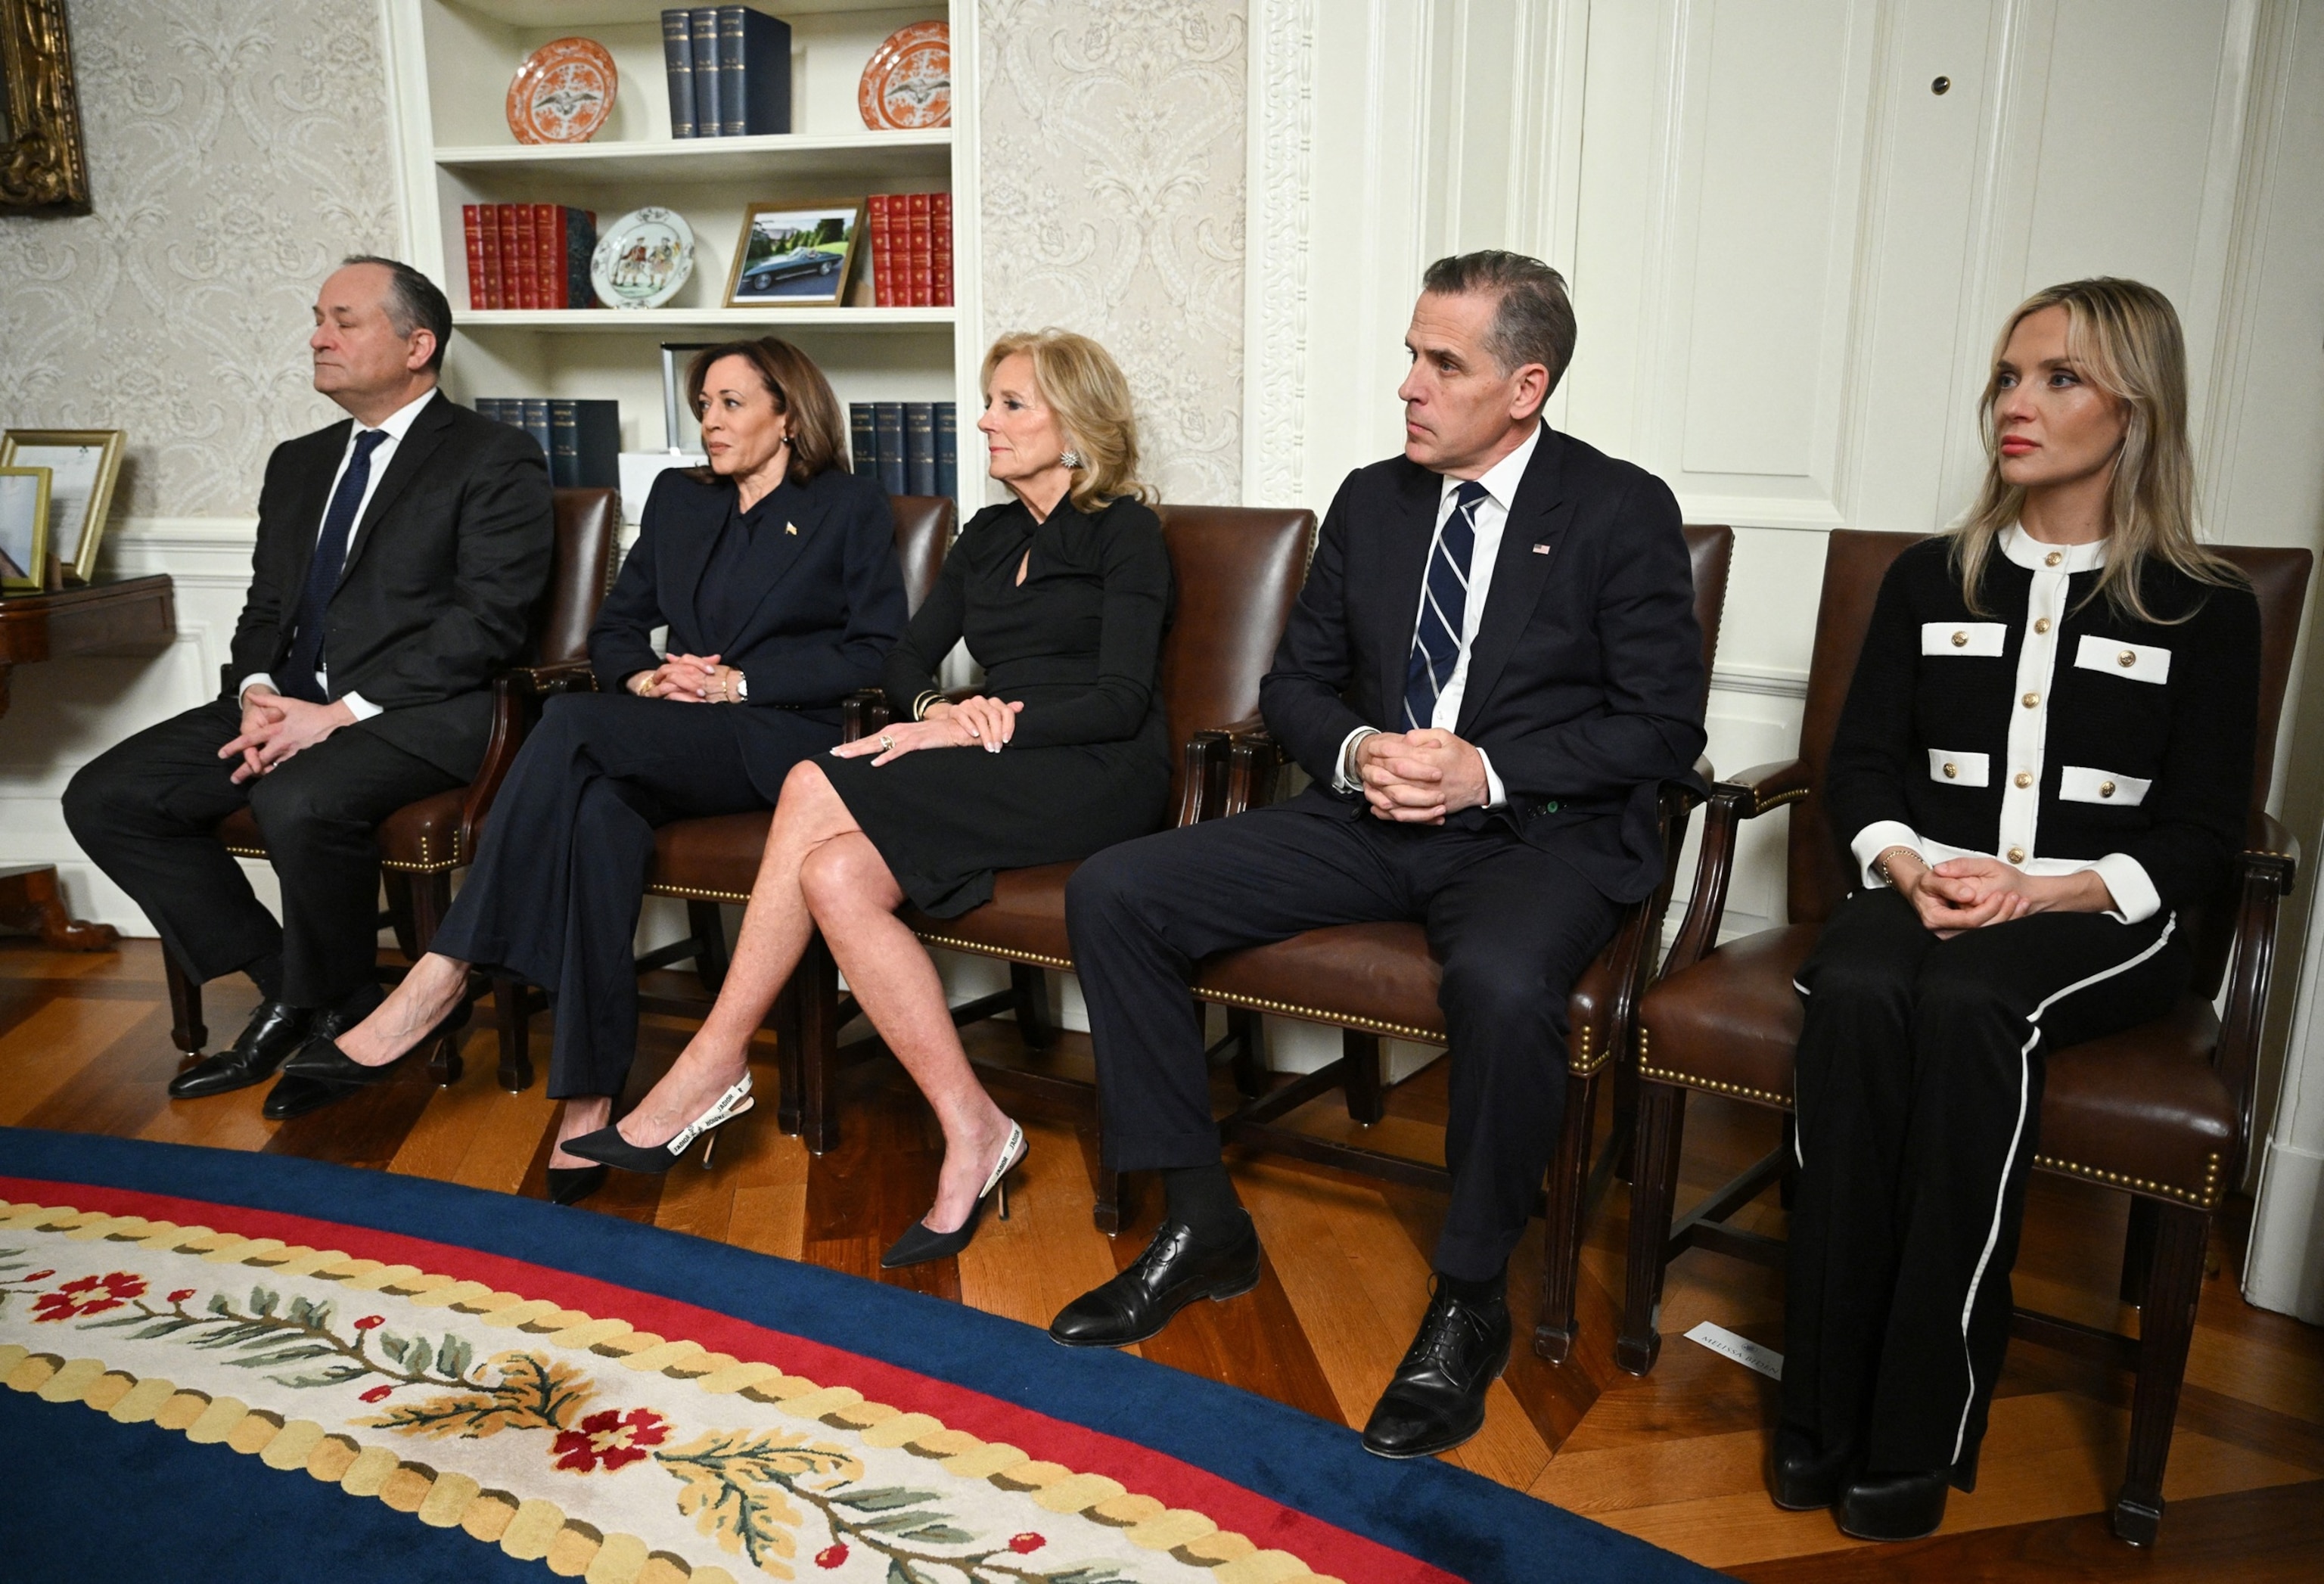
2125,340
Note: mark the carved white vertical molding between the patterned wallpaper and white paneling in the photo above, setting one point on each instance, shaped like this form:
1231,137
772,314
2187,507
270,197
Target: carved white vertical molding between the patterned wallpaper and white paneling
1277,240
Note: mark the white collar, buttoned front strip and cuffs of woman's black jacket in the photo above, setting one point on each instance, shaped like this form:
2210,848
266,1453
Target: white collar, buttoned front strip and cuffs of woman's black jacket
2030,737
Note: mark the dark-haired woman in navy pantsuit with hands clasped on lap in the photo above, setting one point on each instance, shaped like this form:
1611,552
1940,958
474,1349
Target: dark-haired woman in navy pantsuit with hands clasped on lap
775,573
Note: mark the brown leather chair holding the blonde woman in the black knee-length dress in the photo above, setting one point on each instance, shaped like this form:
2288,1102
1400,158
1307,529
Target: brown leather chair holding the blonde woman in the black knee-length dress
1240,570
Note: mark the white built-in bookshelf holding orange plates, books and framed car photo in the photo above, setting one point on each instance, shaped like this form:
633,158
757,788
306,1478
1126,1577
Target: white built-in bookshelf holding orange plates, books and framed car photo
450,78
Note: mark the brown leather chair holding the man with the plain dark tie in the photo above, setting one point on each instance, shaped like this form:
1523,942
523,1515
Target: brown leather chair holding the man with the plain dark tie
422,844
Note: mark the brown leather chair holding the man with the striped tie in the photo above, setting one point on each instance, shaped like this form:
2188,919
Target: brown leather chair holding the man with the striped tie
1375,981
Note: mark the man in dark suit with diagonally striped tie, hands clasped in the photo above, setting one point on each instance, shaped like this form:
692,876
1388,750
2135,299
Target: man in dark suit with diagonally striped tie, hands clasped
1491,672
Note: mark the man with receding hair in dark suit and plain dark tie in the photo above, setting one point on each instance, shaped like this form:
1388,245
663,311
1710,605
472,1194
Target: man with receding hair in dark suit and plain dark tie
401,556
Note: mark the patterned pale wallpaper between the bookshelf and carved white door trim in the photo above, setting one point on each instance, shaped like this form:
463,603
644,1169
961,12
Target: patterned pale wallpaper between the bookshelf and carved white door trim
1114,206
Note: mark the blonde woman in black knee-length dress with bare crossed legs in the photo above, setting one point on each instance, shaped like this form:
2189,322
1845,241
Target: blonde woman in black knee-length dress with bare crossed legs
1063,596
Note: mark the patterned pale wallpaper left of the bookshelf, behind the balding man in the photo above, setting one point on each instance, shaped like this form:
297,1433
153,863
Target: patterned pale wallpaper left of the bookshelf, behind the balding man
236,152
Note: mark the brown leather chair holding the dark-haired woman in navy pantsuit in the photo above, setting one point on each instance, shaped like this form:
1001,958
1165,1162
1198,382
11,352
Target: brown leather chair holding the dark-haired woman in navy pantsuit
708,863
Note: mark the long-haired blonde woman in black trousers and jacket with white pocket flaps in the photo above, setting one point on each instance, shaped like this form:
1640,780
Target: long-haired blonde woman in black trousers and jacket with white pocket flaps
2046,758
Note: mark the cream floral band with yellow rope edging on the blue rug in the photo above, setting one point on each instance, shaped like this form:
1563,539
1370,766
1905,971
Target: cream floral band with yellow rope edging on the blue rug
661,1448
